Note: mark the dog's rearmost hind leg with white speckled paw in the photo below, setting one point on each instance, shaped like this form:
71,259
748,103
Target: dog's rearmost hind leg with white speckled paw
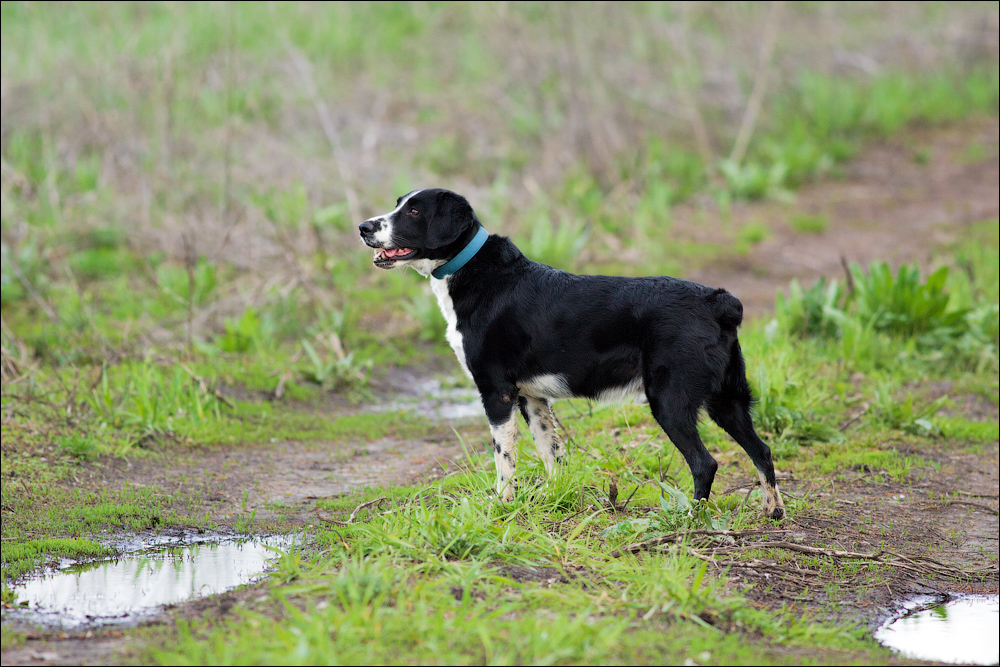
730,409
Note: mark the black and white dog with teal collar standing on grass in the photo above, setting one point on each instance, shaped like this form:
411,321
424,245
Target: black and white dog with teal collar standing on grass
528,334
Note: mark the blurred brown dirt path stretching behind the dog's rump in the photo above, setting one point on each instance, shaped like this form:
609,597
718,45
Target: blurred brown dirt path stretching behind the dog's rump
896,202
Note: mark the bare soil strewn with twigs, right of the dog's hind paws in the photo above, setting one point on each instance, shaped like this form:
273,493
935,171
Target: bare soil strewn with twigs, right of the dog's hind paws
939,529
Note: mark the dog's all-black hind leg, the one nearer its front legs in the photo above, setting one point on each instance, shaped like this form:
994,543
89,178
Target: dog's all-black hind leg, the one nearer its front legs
677,413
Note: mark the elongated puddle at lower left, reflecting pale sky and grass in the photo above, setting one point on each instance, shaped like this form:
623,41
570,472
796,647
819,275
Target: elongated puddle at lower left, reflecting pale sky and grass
134,587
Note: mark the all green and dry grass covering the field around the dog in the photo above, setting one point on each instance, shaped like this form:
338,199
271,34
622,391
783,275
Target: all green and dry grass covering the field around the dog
180,276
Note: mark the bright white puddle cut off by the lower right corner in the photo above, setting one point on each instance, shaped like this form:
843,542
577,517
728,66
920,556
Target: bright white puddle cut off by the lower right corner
964,629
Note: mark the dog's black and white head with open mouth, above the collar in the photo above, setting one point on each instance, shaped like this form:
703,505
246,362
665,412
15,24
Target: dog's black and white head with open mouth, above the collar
425,230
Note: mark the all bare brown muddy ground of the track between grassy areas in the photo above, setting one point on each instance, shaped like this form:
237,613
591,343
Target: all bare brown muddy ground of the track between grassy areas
897,201
